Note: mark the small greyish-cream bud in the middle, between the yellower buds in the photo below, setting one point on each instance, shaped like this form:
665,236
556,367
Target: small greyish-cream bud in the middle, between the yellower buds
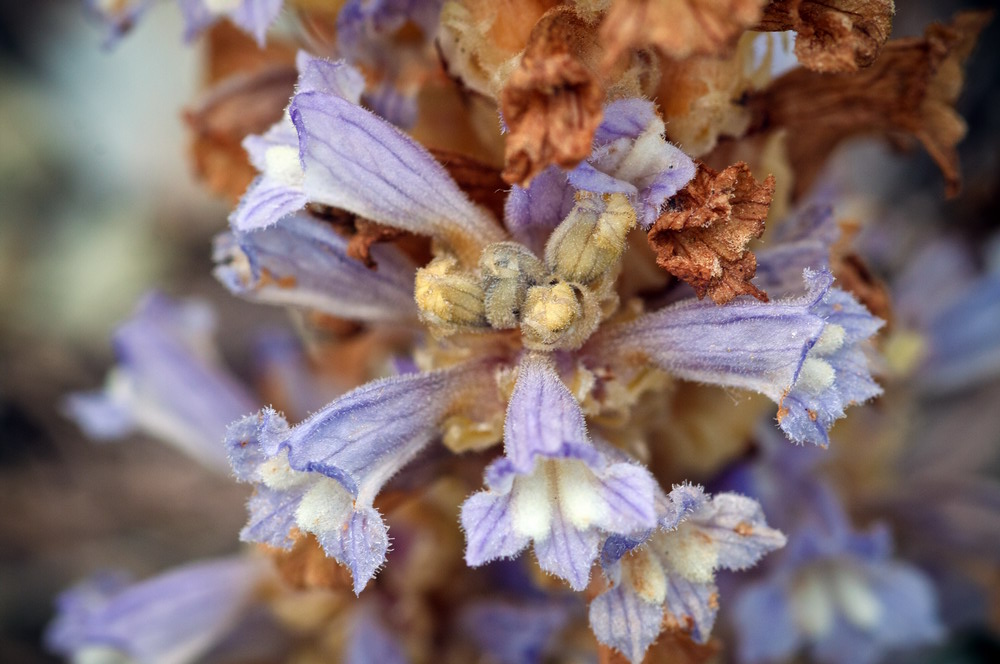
508,269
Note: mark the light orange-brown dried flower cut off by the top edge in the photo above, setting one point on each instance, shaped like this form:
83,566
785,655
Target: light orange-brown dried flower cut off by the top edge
677,29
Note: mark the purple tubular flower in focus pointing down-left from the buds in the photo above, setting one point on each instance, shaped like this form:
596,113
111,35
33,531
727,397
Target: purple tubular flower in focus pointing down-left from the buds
322,476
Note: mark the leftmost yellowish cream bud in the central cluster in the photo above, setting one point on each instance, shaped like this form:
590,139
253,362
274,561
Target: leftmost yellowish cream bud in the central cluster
448,297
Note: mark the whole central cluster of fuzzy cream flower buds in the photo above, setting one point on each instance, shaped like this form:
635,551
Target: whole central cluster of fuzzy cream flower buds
556,303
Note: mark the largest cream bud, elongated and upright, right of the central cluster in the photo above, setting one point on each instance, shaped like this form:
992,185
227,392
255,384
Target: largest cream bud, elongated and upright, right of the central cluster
591,238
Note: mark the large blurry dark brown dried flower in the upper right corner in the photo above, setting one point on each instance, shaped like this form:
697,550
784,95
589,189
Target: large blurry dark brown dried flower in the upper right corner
910,90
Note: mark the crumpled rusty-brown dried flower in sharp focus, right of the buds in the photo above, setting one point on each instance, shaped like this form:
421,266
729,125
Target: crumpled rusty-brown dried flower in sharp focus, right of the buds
703,238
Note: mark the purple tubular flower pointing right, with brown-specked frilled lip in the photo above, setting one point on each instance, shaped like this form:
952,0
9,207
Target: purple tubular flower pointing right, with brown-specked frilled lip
805,353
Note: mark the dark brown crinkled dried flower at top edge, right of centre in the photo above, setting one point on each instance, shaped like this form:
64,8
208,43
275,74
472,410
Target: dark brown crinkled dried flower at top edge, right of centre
832,35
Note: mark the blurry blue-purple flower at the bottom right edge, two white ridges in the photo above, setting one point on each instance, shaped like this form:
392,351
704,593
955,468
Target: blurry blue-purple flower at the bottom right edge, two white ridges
837,594
